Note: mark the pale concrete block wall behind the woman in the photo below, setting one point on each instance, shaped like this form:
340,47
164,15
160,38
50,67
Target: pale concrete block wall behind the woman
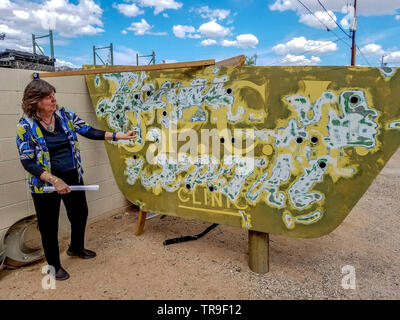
15,199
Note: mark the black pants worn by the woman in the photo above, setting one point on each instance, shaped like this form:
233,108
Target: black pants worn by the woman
47,206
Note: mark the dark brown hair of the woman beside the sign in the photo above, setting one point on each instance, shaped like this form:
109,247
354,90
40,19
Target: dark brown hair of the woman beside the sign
35,91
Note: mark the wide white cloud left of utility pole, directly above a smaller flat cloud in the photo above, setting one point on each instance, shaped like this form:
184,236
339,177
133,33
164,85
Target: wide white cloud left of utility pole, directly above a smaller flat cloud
301,44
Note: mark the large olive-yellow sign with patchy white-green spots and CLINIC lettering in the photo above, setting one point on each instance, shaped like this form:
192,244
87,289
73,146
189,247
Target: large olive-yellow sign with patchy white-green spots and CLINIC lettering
282,150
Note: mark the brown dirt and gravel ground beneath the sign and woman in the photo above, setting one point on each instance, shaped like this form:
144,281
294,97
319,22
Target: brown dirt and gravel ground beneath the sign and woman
216,266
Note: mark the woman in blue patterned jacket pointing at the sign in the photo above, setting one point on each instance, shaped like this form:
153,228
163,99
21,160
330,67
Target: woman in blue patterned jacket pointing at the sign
49,151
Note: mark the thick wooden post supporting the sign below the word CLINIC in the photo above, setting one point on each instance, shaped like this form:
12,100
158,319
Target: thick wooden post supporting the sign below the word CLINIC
258,251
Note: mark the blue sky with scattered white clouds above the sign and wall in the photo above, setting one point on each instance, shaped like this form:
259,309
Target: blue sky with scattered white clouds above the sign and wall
280,32
